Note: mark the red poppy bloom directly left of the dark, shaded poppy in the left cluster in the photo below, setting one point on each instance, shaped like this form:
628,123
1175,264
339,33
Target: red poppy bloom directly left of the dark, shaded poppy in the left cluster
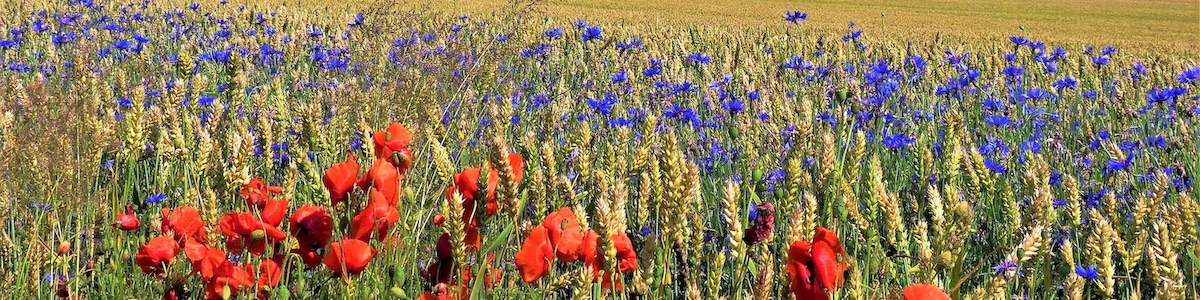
244,230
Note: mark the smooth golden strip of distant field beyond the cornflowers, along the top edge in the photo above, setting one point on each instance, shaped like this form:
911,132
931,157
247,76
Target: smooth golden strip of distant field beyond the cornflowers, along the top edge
1173,25
